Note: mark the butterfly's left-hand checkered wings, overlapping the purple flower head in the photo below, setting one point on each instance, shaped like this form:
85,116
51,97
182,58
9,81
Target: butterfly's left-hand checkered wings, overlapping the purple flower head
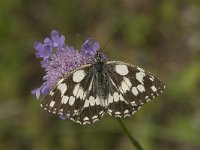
75,97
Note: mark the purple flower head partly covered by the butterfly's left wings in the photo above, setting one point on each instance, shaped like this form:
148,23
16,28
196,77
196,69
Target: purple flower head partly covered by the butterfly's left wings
58,59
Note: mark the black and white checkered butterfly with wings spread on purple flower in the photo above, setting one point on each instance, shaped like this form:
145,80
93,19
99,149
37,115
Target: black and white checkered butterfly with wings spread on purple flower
85,94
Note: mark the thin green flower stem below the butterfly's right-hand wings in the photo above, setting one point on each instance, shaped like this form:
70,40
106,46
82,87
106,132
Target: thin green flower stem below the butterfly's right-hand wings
133,141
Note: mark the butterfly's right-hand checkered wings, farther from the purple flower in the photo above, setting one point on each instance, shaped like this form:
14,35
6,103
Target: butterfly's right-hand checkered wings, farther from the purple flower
131,88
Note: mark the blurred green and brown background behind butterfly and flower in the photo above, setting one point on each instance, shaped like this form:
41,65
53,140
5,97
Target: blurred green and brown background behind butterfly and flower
162,36
